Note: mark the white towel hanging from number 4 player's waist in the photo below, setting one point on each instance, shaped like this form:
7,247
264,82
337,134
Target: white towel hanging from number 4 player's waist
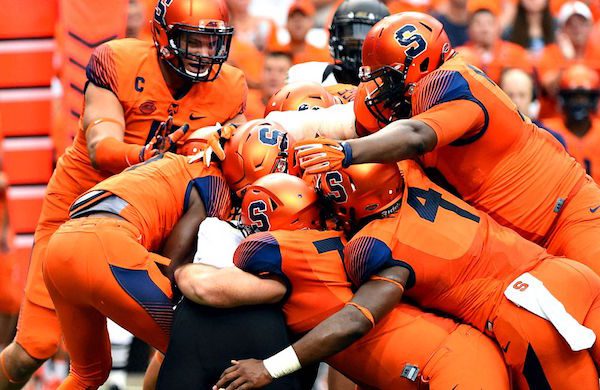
530,293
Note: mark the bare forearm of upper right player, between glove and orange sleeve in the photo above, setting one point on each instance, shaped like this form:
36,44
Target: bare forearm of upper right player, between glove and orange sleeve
400,140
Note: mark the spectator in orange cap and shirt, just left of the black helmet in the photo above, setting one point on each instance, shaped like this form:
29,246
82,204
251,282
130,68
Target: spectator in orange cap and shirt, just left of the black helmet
300,21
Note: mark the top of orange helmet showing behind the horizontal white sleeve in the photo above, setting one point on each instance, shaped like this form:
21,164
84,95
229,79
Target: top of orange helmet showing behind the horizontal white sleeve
300,96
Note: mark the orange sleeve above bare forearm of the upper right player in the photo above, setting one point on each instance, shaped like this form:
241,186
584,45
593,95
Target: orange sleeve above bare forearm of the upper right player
454,120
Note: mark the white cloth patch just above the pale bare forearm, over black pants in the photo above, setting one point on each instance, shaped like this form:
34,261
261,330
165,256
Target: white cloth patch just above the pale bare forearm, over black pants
217,242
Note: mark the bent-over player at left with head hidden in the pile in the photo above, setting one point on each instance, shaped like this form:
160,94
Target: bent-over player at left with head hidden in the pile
103,262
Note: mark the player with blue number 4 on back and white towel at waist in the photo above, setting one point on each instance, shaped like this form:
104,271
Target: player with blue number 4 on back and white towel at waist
445,255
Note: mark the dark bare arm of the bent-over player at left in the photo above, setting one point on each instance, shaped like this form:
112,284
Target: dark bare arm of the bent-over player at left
181,243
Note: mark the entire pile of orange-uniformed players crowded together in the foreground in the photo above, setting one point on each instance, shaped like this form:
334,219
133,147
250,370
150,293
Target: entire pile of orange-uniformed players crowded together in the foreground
426,248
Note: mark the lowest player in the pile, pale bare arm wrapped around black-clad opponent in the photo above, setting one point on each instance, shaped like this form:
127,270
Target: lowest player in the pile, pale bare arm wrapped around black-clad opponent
292,261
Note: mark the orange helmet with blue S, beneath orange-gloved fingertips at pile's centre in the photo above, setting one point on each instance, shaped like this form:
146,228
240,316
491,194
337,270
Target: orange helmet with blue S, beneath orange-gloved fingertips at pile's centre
257,148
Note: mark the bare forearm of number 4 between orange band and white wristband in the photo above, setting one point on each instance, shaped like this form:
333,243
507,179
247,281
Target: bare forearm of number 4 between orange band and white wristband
332,336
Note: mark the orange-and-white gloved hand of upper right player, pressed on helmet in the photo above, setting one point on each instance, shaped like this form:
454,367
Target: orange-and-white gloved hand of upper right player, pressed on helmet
321,155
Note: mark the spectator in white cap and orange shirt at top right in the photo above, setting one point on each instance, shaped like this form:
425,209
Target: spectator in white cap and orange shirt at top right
573,45
